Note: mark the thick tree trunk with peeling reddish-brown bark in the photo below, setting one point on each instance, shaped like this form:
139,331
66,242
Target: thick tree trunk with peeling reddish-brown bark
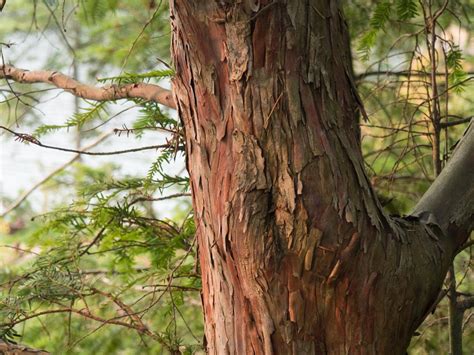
296,253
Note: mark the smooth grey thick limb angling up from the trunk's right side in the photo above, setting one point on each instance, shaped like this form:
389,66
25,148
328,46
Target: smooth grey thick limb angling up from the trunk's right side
449,202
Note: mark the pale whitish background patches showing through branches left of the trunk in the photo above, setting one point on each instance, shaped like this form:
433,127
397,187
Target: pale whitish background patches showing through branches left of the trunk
21,165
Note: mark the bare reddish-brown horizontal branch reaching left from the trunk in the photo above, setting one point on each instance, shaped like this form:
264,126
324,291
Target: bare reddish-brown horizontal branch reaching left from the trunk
145,91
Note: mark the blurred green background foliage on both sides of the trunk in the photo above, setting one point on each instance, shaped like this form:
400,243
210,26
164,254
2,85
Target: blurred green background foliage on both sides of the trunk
110,266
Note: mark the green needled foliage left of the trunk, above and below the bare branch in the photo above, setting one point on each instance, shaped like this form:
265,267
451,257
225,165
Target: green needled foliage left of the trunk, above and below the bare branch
108,253
